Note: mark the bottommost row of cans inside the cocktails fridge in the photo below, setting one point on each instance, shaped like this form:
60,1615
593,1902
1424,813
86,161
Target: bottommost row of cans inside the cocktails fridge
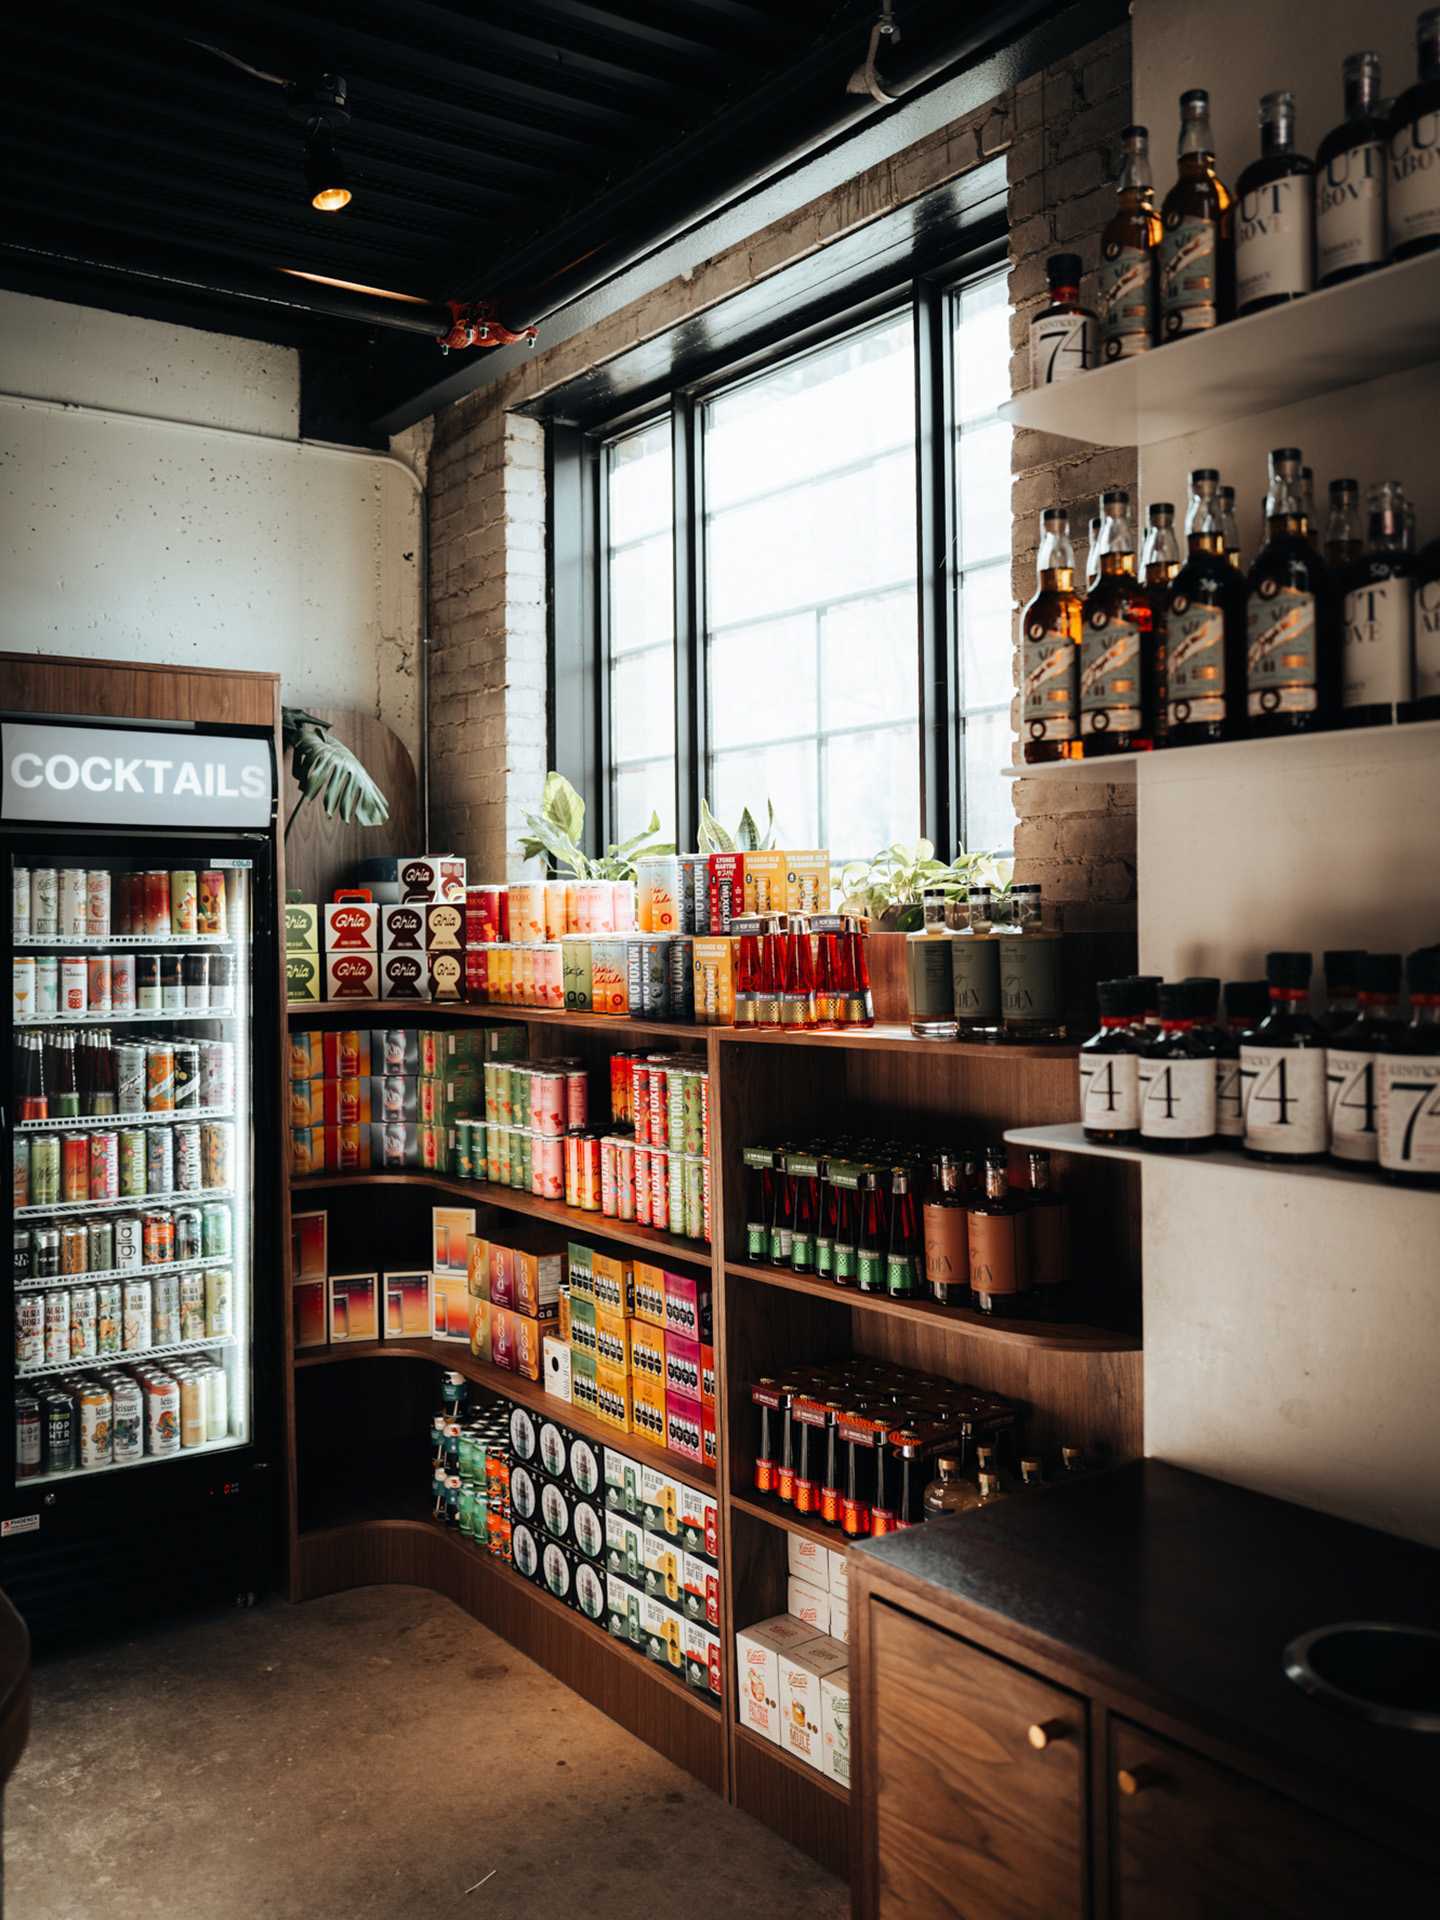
118,1416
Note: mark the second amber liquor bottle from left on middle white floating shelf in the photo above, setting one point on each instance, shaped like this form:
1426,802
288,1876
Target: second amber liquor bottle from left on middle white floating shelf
1118,671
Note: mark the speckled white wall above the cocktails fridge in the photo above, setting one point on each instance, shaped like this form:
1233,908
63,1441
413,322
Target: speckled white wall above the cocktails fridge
151,542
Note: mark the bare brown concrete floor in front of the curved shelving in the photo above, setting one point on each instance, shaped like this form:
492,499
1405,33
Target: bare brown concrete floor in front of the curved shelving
375,1754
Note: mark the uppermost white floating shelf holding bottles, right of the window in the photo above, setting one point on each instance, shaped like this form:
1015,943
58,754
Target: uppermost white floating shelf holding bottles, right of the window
1341,337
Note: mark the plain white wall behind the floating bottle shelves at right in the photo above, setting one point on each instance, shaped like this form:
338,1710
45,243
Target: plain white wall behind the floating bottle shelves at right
1291,1330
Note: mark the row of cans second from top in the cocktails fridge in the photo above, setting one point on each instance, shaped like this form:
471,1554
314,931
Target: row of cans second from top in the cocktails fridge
95,986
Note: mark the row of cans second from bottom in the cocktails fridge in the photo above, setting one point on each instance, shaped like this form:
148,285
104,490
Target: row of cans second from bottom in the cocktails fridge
122,1318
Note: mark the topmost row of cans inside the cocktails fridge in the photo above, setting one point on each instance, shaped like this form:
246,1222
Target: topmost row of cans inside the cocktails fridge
74,903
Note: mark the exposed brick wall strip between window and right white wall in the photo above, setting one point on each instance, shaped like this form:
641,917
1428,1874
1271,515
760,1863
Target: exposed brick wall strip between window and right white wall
1072,836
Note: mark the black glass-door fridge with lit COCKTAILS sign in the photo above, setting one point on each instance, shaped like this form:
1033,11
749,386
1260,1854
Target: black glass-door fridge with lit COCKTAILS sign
139,1107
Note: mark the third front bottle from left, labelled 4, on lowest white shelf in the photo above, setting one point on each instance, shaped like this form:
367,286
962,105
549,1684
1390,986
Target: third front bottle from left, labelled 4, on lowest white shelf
1284,1070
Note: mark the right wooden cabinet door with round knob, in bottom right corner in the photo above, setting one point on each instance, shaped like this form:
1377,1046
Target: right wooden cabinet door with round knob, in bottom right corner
1197,1842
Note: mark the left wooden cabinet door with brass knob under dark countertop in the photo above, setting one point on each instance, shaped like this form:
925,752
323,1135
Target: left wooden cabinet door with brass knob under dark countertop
971,1815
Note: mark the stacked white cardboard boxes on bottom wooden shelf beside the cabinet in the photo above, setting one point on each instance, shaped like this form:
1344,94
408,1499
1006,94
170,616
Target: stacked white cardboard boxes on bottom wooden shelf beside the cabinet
792,1673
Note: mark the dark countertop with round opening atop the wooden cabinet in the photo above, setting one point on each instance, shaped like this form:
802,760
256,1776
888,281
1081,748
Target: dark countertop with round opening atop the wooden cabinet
1184,1593
